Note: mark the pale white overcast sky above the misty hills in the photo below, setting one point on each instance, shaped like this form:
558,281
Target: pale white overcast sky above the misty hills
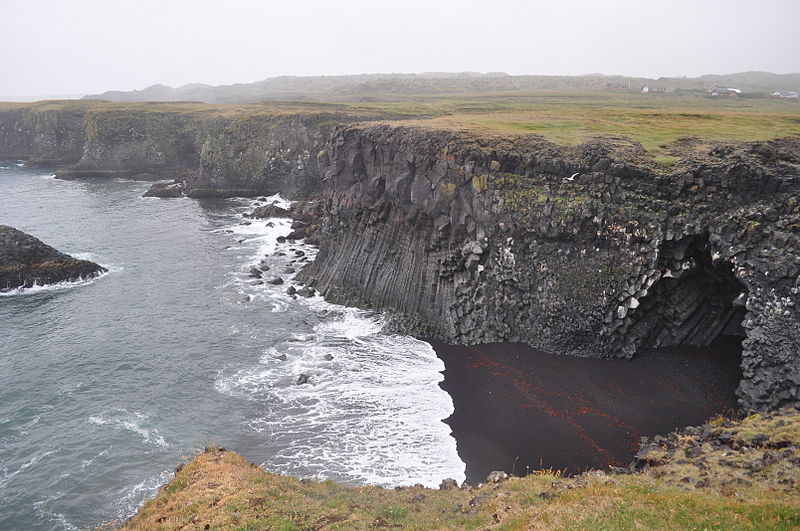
60,47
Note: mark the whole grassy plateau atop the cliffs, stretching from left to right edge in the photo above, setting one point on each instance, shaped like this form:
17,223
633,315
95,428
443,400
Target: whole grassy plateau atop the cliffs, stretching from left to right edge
655,120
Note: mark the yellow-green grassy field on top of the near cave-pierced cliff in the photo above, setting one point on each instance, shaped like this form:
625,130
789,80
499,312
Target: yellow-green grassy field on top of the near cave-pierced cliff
570,118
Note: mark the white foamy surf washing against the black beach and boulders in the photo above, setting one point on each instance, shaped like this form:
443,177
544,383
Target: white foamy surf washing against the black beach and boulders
372,410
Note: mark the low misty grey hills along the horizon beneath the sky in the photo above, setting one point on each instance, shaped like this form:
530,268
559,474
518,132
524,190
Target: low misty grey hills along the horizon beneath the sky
390,87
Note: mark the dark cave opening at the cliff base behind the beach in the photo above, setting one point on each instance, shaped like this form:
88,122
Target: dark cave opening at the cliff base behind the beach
697,300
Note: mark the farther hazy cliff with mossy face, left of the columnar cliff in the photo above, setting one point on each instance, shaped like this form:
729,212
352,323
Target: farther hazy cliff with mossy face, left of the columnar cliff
214,153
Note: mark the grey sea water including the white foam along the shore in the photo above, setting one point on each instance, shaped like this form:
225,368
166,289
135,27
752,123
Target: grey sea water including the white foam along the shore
107,385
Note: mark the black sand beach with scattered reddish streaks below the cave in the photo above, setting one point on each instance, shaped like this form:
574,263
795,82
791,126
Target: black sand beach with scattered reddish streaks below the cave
518,409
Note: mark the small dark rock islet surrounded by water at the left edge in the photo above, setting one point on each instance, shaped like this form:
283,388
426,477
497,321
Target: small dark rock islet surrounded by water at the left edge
26,261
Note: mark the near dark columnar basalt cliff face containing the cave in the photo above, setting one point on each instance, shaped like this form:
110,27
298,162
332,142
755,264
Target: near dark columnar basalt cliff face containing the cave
589,251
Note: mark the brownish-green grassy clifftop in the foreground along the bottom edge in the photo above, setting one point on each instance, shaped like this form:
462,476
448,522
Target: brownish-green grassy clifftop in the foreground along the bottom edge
724,475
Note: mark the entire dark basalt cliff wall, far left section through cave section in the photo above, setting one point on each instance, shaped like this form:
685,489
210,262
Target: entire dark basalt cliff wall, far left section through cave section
591,250
